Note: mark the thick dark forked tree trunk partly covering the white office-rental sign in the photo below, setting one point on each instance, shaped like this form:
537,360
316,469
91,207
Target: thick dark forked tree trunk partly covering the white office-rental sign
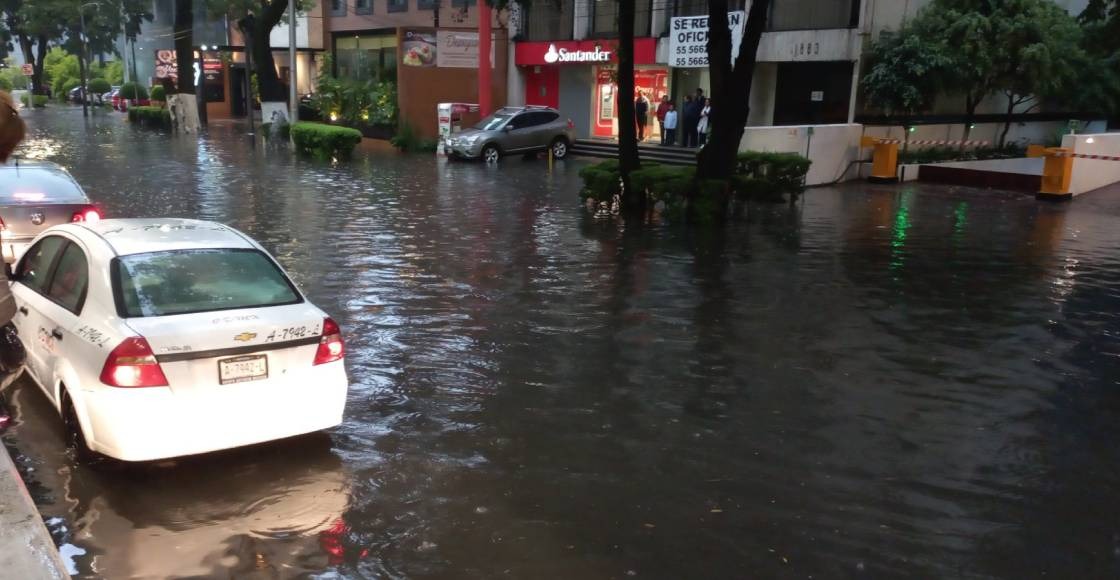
731,88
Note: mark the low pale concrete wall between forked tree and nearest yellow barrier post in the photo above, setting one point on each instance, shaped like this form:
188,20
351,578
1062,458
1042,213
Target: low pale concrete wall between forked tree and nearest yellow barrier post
833,148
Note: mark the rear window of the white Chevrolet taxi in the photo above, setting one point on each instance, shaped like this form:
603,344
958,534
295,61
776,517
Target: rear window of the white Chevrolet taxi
179,283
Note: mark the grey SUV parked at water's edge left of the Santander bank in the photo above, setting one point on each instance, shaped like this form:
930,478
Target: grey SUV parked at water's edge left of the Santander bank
514,130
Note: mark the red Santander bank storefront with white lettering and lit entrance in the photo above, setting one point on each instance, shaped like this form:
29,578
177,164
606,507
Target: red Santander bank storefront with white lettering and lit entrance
578,78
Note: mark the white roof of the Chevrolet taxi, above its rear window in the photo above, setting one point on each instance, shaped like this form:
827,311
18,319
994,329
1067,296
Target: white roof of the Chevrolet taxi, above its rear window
138,237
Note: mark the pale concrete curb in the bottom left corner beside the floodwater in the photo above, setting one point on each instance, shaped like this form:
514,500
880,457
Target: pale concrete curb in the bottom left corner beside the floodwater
26,548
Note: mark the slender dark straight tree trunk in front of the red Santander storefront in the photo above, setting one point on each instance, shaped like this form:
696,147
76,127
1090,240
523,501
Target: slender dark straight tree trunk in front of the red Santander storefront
633,202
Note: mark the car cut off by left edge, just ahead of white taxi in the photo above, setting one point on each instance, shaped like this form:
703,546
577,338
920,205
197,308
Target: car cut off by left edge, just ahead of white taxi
34,197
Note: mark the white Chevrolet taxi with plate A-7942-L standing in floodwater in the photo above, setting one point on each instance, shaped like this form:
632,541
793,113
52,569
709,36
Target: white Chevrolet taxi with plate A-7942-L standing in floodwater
161,339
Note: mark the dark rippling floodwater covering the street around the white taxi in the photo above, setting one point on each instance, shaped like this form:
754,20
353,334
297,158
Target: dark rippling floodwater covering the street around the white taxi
879,382
